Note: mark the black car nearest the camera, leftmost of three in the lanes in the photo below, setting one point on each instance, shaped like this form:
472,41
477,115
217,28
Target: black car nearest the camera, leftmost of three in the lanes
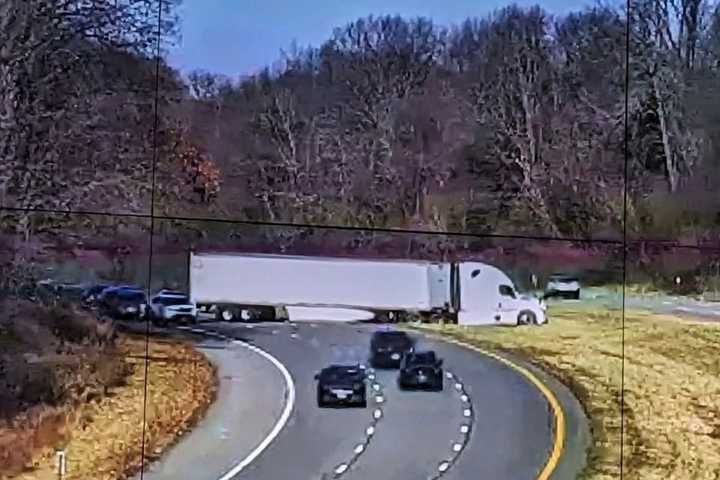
341,385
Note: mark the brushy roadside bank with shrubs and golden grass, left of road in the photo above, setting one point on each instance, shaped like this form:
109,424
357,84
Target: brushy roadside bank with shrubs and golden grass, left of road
68,382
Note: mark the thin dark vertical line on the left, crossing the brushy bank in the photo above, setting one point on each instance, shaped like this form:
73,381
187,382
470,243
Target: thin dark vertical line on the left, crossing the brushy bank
156,104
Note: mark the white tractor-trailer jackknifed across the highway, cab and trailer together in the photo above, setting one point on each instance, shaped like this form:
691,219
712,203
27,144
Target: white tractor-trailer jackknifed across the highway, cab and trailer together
261,286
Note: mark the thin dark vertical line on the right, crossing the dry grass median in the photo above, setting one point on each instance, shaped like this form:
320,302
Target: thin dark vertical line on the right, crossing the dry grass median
626,142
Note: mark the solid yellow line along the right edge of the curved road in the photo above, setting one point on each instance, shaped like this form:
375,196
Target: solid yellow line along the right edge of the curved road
558,412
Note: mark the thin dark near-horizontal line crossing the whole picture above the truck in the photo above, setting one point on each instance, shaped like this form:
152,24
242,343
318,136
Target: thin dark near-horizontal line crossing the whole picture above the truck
348,228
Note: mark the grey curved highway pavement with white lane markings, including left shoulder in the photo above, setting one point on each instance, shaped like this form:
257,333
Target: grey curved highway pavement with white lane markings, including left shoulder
510,421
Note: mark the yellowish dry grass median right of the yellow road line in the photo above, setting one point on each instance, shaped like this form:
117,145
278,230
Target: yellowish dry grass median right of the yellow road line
672,385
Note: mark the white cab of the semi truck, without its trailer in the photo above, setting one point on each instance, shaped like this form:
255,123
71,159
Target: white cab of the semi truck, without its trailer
487,296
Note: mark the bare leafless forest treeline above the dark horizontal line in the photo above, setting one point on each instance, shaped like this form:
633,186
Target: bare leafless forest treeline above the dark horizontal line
515,122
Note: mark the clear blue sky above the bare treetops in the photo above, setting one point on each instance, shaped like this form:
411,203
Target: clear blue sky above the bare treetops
236,37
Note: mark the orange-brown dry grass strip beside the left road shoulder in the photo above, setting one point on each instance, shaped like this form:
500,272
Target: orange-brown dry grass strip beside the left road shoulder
104,437
